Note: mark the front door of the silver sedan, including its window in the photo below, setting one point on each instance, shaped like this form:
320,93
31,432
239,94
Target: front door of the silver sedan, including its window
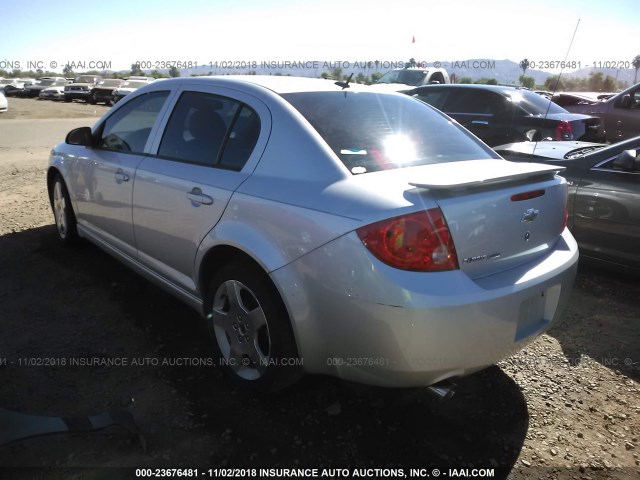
102,176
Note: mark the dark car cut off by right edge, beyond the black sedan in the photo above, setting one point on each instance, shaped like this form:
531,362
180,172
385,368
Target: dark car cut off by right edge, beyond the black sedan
620,113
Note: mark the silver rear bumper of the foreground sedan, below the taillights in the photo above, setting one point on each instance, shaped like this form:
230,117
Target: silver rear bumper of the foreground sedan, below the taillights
358,319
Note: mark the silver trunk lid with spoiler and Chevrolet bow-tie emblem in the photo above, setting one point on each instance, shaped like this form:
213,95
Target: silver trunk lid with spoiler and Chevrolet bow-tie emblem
501,214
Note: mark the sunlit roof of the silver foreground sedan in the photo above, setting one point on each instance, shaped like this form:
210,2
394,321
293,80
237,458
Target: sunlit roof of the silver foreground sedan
276,83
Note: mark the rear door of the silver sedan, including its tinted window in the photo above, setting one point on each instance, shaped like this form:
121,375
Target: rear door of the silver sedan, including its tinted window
181,191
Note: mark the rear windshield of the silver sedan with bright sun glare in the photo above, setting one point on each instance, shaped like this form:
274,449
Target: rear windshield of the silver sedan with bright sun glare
371,132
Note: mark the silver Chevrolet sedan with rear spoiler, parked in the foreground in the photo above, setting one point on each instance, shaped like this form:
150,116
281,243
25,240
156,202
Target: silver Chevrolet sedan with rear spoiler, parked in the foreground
321,227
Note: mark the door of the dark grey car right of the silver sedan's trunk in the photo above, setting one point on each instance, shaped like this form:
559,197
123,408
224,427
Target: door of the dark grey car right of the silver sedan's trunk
607,213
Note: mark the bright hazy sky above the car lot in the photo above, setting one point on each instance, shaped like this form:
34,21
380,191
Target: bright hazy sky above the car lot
118,33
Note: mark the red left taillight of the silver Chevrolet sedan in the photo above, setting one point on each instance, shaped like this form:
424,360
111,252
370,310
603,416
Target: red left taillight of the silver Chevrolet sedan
418,241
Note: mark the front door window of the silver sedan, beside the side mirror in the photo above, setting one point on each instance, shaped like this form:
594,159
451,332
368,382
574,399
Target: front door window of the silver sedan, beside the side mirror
128,129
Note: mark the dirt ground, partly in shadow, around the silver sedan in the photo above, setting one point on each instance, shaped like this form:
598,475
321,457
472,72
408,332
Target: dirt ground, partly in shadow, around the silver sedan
568,406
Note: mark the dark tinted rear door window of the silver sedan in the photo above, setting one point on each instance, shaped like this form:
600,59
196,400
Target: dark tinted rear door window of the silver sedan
211,130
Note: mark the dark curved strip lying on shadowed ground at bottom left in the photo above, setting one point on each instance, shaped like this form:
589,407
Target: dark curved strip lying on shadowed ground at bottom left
16,427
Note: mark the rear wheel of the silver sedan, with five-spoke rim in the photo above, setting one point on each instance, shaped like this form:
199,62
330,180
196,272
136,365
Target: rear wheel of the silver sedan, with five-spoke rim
251,330
